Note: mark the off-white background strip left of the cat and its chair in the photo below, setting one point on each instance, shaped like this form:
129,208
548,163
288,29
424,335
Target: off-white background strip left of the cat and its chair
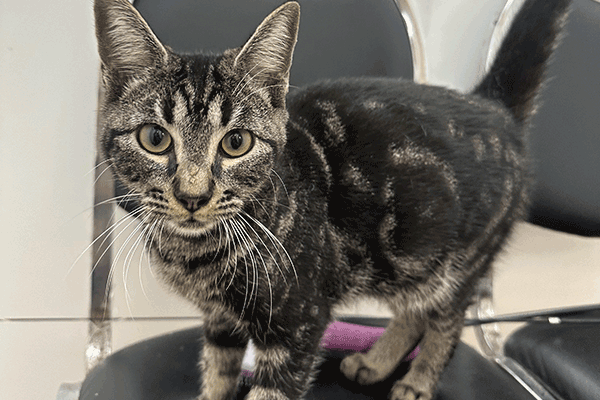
48,81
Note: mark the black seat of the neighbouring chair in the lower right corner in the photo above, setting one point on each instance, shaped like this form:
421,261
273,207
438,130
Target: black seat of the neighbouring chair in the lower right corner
565,357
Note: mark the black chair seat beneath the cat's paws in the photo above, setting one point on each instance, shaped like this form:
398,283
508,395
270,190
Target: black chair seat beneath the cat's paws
165,368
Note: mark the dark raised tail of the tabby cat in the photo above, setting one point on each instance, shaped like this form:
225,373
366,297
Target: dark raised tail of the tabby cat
519,68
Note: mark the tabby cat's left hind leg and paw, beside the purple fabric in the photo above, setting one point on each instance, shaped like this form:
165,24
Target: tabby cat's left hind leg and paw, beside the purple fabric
400,337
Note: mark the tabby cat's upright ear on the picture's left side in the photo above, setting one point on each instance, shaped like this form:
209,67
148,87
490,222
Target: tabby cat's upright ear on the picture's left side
126,44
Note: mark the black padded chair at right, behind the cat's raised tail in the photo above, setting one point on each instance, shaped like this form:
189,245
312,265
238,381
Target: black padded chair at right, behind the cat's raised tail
565,356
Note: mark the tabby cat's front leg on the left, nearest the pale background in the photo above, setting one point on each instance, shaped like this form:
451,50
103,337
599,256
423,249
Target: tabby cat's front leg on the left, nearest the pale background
221,359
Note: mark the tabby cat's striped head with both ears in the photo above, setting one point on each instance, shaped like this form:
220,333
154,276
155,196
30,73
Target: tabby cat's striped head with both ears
192,138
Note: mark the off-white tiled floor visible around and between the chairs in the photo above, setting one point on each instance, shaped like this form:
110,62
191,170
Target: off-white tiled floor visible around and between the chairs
48,84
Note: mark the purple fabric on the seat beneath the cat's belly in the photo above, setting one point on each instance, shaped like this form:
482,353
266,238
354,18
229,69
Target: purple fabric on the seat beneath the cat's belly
351,337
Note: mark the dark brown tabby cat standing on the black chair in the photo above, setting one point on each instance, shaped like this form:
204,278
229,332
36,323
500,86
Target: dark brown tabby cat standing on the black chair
265,209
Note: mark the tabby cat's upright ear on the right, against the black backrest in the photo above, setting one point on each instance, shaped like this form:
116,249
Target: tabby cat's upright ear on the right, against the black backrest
267,56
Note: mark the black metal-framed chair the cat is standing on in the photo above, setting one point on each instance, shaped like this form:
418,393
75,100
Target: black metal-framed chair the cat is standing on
136,372
